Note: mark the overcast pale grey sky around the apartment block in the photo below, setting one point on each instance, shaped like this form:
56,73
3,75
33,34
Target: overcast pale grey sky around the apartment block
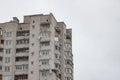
96,31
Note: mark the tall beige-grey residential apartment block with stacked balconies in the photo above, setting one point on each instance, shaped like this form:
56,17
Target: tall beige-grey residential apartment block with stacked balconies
40,48
